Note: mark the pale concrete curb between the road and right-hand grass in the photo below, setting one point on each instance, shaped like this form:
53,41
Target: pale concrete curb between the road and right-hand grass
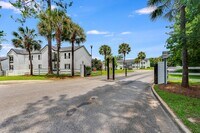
177,121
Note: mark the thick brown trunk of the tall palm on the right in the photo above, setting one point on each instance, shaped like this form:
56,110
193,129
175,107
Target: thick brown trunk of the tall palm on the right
185,81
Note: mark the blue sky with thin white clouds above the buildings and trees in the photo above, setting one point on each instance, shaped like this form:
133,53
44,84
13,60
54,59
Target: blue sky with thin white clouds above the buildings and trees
110,22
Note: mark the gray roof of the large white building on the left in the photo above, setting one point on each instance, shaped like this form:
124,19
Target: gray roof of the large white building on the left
63,49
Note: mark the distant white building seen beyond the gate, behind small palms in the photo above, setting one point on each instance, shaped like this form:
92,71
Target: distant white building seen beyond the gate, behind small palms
132,65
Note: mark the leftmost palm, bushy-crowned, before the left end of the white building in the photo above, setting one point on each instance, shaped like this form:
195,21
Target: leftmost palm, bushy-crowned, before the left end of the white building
25,39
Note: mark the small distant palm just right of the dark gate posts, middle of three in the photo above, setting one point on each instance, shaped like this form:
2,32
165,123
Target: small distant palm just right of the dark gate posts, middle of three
124,49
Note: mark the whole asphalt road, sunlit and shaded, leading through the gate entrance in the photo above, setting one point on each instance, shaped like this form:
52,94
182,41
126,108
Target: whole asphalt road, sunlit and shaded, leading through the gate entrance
84,105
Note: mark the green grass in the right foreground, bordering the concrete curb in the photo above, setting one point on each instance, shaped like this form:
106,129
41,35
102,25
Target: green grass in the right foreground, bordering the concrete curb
184,107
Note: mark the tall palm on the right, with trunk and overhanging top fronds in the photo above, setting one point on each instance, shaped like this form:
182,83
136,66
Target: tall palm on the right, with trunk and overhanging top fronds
171,8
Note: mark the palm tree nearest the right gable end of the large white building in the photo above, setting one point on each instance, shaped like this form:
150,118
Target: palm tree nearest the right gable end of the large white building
76,36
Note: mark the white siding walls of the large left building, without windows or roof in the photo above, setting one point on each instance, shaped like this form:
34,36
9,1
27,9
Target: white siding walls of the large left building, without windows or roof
21,61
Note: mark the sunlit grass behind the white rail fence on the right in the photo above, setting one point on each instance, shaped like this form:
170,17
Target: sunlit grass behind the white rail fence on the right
193,79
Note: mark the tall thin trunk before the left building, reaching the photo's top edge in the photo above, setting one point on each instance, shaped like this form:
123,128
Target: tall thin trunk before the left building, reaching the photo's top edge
50,67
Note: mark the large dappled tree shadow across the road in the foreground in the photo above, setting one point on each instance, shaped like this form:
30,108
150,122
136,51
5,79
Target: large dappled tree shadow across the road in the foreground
123,107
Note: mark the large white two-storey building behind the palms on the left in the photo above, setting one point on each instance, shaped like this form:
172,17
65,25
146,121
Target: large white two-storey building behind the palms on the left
18,63
